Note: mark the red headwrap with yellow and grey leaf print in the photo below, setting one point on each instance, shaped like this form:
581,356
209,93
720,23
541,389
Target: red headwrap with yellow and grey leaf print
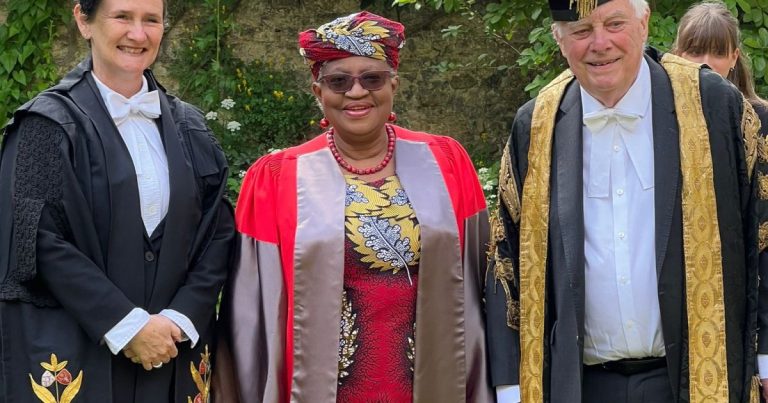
359,34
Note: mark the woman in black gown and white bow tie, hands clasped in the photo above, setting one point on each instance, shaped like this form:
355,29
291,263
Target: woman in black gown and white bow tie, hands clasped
115,236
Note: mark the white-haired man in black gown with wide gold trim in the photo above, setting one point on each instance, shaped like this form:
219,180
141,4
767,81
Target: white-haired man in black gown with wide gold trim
625,259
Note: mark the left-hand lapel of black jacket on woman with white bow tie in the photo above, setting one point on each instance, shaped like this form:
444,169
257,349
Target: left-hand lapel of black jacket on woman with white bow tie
125,249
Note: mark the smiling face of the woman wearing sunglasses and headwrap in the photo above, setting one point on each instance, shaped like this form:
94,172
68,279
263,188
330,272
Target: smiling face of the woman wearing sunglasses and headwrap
358,113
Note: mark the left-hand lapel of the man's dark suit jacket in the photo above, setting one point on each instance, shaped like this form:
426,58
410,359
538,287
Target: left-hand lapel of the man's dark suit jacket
568,191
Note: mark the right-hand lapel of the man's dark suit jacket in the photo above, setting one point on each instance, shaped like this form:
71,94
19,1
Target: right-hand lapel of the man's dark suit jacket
666,157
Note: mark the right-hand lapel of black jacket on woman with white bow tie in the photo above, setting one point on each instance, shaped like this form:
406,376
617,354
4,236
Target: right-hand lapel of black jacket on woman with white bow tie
183,211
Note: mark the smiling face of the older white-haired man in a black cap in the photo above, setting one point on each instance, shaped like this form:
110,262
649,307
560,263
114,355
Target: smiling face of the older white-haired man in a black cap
605,49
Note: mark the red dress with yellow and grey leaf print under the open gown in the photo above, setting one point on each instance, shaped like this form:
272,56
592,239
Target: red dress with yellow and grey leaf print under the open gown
381,250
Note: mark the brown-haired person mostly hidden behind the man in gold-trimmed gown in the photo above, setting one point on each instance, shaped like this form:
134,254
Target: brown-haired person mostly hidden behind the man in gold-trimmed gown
708,33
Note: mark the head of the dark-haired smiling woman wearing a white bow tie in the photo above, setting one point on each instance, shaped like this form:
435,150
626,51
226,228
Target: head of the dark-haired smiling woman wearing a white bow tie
125,38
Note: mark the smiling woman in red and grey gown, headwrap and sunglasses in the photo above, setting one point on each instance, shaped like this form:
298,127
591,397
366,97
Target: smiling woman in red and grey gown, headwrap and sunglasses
363,250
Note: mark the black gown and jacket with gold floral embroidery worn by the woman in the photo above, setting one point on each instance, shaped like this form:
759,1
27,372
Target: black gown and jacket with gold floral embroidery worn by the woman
75,257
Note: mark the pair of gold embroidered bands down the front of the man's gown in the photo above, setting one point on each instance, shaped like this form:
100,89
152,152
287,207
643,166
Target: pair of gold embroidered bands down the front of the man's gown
701,237
